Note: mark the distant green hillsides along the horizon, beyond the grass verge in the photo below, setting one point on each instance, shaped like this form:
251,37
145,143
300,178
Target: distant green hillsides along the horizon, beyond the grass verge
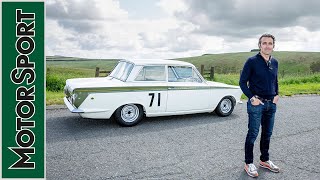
290,62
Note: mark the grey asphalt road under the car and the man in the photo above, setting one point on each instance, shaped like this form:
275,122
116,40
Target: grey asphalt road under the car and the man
201,146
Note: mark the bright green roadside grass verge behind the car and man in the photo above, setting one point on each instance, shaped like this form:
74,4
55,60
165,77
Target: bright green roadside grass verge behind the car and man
288,85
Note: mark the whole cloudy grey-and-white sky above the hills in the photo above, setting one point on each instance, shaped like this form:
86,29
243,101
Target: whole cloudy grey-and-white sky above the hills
177,28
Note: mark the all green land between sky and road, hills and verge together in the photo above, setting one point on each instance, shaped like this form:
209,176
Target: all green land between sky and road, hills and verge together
295,76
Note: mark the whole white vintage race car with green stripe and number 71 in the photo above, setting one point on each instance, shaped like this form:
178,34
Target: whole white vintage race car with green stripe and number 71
138,88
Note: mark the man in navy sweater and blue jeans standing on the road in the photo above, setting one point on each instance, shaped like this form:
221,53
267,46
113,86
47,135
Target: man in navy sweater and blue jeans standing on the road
259,82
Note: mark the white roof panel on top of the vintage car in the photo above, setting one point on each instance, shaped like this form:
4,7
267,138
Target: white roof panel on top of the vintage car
157,62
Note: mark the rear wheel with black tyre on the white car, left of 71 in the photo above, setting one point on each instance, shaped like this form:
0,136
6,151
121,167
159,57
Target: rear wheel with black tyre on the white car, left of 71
128,115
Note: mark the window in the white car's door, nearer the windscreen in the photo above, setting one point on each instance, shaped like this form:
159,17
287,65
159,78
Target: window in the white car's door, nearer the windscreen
183,74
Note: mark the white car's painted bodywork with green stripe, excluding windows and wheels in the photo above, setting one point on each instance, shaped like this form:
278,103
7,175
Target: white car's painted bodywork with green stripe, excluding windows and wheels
99,97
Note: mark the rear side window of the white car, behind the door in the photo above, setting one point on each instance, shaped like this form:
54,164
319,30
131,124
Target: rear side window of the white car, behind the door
152,73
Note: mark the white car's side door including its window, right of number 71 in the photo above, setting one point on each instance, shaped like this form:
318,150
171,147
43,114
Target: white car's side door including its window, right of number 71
186,90
